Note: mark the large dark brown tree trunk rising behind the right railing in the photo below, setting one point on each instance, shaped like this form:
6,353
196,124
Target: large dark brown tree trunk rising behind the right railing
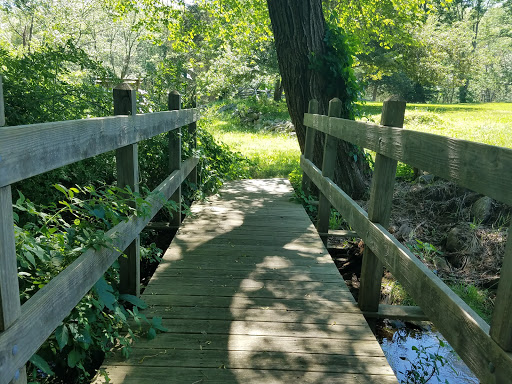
299,30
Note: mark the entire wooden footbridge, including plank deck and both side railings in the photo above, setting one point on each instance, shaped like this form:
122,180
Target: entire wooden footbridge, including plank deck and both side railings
247,290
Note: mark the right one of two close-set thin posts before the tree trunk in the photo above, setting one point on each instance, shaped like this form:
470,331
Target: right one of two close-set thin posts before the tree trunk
328,164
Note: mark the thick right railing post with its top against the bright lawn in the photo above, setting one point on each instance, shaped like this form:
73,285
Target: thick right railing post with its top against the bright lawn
379,209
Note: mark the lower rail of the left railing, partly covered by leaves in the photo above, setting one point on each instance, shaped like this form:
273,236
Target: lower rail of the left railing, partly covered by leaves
44,311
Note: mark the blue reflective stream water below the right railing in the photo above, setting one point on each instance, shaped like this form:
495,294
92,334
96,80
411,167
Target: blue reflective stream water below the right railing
397,340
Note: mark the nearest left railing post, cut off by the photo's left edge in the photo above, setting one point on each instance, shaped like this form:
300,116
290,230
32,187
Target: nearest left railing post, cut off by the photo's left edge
10,307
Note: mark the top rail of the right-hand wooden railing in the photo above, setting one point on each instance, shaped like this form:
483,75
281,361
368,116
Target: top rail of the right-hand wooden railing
480,167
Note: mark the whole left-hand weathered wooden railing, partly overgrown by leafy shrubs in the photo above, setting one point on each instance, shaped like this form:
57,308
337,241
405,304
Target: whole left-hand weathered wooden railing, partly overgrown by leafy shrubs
30,150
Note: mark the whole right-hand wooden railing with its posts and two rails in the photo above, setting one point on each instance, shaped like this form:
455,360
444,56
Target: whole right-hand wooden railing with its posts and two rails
482,168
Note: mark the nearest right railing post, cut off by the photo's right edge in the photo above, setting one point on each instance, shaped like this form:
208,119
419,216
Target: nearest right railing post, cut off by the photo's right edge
501,325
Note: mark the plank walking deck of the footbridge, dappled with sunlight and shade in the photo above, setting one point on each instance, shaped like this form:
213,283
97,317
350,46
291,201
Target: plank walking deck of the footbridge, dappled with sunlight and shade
250,295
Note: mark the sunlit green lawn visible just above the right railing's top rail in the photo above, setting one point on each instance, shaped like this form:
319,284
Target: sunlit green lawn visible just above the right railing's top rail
487,123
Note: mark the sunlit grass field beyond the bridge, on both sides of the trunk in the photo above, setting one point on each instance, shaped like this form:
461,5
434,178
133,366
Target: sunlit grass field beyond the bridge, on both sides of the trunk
277,154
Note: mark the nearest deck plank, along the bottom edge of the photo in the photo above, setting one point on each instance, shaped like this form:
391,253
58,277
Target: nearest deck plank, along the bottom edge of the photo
128,375
